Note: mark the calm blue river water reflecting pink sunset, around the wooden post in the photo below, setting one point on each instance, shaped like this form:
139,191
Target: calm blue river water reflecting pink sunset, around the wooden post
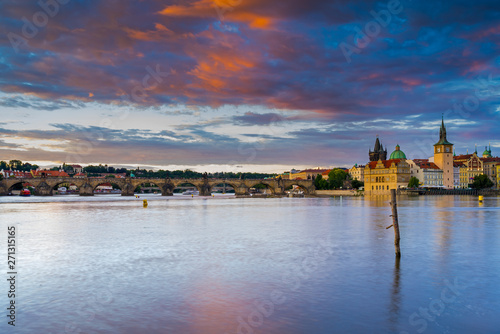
227,265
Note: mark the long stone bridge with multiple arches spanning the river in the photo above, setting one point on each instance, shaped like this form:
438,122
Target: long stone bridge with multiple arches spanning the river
45,186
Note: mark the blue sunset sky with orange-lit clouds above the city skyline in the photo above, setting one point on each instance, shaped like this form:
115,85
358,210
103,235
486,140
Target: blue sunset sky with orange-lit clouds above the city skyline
245,85
